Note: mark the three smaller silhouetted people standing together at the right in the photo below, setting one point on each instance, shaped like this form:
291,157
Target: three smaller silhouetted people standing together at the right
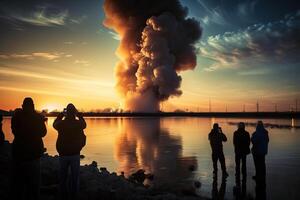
241,142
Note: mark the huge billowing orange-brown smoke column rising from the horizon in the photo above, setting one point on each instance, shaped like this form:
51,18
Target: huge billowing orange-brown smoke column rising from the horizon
157,42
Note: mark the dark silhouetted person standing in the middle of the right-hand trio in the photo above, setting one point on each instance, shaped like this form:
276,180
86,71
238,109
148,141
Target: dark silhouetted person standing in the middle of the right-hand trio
241,142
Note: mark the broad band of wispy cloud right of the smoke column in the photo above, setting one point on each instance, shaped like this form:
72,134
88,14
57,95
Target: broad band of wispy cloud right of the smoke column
260,43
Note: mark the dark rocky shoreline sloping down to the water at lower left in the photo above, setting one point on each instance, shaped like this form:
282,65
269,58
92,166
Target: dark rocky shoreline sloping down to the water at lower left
95,182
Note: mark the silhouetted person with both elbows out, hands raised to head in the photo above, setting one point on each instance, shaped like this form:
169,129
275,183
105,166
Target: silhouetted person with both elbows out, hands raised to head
70,141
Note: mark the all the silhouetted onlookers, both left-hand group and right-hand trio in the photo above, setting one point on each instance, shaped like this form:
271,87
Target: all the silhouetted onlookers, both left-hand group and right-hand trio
28,128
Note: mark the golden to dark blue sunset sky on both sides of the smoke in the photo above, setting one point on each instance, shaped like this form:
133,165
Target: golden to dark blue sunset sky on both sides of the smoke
59,52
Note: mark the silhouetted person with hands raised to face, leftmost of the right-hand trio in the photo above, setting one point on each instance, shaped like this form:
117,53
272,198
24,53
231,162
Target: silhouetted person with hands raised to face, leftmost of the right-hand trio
216,138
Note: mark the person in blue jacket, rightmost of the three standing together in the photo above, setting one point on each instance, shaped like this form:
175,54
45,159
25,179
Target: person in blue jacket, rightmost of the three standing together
260,141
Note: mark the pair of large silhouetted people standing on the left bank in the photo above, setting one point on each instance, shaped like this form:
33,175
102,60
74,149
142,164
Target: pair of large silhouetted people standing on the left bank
28,128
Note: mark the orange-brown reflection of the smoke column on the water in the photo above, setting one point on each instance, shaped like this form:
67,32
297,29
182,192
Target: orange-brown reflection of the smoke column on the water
144,144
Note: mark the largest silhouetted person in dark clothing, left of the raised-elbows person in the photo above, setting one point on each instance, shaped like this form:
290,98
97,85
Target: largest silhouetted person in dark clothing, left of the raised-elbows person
28,128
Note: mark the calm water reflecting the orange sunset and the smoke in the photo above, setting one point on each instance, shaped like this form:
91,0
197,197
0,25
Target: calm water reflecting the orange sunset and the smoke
167,147
